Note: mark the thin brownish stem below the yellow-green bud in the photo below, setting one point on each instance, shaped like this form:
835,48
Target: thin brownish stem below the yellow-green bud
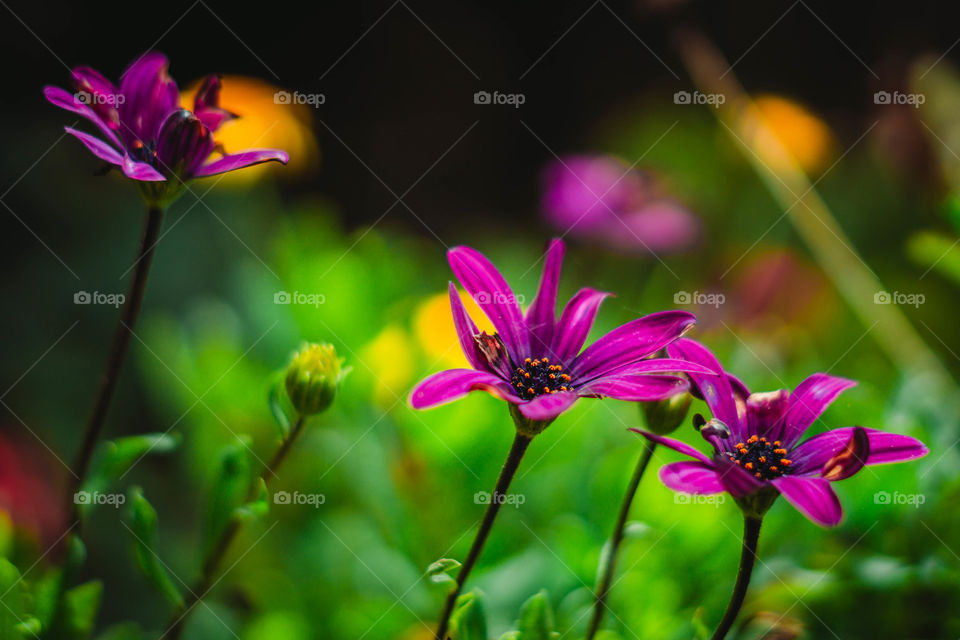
218,551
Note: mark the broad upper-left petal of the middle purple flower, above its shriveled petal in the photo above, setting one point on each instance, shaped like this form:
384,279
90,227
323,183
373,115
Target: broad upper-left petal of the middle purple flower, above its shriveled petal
492,293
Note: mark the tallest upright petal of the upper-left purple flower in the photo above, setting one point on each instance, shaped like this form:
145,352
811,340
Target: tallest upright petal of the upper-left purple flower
149,96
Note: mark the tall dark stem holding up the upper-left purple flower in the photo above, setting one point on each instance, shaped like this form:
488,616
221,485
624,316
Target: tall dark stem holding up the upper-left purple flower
117,354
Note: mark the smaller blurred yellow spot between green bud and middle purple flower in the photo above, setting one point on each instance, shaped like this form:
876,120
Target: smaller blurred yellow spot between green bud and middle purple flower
390,357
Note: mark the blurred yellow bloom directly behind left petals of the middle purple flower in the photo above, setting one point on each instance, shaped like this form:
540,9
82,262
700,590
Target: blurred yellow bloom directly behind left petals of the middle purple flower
433,326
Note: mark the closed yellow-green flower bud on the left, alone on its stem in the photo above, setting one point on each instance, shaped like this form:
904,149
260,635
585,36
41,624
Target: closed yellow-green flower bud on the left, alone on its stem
313,377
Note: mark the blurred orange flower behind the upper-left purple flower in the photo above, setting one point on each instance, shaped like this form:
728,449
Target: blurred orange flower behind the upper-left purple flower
263,122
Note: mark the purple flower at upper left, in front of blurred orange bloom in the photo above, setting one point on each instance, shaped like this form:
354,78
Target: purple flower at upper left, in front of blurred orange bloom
144,129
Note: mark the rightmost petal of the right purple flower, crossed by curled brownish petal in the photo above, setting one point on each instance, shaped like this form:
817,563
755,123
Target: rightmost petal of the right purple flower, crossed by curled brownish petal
810,456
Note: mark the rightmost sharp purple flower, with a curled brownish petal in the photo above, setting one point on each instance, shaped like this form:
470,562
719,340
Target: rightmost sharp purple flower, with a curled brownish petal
755,438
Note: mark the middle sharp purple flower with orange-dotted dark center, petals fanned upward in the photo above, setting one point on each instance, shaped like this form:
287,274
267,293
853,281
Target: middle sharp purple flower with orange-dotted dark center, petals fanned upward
533,360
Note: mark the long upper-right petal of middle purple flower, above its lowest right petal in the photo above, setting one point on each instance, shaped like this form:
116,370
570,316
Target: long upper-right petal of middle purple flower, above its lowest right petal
630,342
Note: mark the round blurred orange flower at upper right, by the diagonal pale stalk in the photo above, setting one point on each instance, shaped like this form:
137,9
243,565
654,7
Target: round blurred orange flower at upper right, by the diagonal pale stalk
800,133
